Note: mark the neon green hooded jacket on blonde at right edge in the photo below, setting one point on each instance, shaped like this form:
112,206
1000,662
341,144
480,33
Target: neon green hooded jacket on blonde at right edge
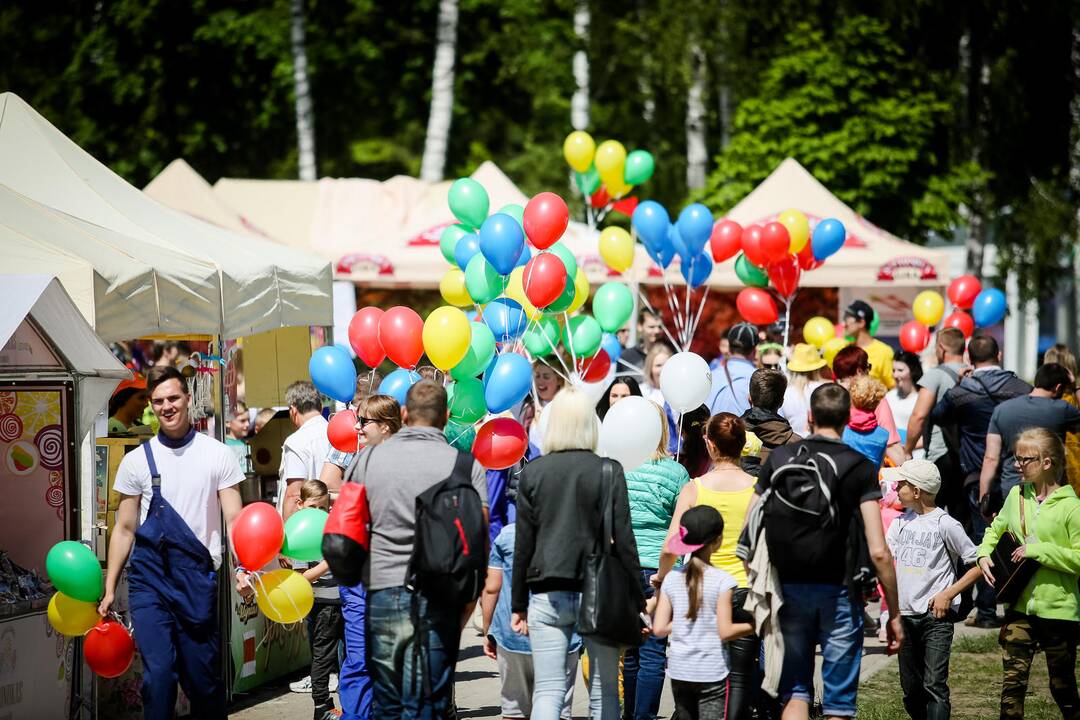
1052,593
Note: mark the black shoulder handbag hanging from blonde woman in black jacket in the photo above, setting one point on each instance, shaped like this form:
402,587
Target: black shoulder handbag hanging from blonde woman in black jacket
612,596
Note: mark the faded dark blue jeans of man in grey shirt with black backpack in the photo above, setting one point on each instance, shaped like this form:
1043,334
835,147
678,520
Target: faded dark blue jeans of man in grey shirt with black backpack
403,690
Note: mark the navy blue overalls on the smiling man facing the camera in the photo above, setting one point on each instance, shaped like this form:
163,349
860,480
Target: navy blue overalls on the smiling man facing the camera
173,596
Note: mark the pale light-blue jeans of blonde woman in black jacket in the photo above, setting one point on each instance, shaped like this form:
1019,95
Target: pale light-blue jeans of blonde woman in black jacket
552,617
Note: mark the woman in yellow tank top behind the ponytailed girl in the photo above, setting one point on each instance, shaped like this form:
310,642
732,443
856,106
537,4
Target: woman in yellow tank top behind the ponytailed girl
727,488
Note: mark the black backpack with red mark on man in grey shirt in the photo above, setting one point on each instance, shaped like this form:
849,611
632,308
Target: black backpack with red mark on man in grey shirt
450,548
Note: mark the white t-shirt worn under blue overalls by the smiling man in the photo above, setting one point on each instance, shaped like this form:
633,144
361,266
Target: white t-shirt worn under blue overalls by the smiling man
191,480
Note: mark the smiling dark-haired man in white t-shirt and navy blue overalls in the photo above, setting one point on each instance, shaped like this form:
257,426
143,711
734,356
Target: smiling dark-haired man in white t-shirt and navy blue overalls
174,492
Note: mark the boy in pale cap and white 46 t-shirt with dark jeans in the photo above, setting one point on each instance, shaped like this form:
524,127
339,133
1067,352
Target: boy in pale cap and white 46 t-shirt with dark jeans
926,544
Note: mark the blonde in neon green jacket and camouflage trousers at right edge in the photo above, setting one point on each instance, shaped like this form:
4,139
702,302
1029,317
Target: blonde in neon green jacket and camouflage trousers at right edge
1047,614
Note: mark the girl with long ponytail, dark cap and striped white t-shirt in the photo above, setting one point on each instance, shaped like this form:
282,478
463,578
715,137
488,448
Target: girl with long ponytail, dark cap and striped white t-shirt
695,610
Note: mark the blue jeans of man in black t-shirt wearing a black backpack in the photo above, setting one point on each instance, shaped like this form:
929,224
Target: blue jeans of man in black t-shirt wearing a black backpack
816,615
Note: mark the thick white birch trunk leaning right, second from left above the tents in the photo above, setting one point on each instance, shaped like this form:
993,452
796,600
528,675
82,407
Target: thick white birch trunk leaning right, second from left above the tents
434,164
